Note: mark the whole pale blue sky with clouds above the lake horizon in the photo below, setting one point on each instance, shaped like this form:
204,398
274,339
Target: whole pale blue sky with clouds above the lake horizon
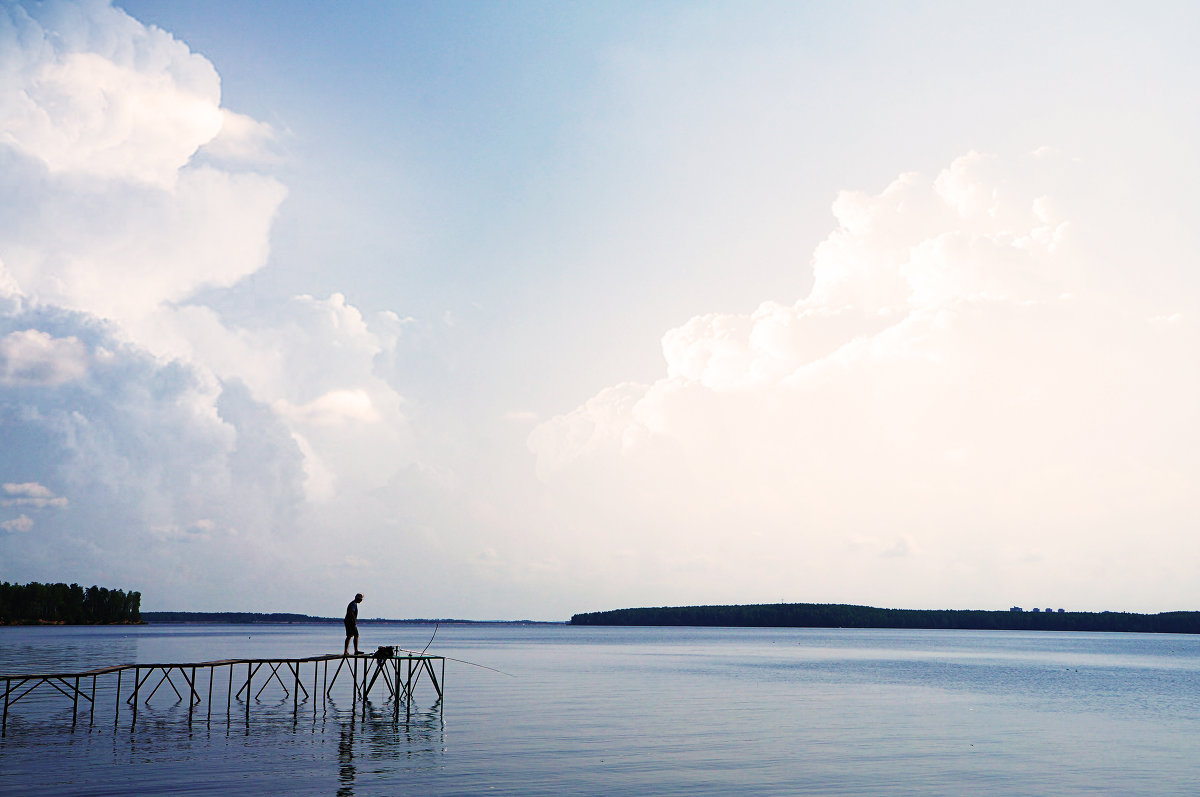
518,310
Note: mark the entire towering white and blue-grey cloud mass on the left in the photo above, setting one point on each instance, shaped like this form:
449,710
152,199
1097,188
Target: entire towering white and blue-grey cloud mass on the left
129,200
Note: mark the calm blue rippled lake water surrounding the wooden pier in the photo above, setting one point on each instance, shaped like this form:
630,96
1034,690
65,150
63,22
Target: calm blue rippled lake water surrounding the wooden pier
635,711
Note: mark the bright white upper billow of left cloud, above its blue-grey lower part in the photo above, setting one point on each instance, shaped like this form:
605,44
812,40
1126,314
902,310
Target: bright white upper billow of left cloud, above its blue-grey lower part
106,209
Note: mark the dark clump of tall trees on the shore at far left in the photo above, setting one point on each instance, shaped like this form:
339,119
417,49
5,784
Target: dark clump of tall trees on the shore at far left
69,604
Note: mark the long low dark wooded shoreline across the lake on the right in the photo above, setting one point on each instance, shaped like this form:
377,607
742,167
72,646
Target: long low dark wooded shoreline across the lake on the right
848,616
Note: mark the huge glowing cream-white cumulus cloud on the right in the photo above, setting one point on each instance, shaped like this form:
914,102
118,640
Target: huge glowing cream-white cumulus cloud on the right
956,383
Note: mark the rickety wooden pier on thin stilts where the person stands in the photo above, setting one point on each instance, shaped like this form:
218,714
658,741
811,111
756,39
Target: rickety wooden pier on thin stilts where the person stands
398,675
